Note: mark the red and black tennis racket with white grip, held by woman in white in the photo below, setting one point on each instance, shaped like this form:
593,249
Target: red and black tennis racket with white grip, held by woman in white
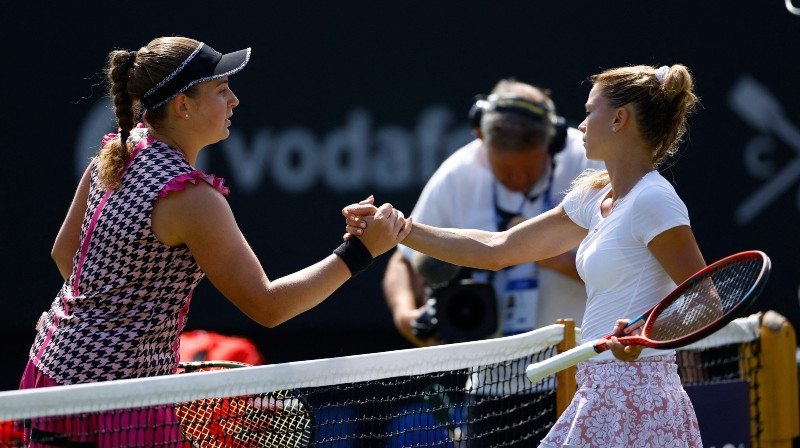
699,306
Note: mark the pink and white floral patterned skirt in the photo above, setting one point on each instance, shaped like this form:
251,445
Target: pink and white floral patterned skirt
637,404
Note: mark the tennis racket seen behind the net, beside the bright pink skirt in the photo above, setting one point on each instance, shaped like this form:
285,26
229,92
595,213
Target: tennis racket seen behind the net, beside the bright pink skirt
274,419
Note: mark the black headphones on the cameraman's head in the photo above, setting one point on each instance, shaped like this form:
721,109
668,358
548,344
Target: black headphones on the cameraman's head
522,106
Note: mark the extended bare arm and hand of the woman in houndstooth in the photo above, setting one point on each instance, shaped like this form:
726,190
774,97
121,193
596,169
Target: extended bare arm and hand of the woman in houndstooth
201,218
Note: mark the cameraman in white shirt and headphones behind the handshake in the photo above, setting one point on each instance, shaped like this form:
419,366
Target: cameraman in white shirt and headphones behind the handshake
520,165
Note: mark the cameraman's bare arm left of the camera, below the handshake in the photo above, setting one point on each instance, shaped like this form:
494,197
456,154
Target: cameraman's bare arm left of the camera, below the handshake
405,294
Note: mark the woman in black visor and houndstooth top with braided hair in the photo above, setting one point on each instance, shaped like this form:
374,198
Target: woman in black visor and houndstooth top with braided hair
145,227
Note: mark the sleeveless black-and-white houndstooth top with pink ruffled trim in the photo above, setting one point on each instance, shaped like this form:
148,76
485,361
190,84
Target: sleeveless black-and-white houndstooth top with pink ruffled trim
121,312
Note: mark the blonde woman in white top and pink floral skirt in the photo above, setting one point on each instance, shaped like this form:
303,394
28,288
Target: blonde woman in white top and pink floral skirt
635,246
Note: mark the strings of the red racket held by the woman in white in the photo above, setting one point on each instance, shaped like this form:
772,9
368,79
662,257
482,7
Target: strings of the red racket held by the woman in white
706,300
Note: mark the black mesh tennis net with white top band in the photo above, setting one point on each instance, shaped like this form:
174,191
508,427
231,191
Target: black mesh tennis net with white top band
471,394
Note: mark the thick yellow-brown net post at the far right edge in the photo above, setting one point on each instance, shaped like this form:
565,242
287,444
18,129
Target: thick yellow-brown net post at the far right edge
778,406
